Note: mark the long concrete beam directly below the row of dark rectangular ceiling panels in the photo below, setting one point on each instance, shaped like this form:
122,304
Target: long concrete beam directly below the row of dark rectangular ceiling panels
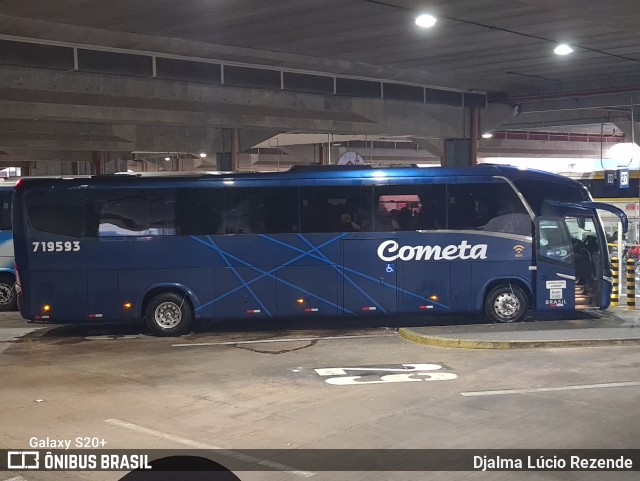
80,97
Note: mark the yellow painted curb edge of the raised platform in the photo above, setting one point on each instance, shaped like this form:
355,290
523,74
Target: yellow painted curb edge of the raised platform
413,336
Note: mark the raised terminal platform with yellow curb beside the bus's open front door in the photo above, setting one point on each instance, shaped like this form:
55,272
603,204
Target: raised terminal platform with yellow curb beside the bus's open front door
616,326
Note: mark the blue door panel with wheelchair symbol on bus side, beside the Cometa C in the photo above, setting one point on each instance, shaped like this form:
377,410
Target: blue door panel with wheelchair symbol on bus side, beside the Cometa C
369,285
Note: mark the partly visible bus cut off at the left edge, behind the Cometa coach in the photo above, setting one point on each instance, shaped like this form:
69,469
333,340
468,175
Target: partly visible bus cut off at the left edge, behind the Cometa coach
8,301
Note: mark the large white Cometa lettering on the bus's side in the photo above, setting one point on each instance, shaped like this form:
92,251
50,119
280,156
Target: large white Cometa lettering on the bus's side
390,251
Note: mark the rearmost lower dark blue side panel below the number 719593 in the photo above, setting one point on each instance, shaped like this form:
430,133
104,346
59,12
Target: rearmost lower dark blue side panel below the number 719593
64,291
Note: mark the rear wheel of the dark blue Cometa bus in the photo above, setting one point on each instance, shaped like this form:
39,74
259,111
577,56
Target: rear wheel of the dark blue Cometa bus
168,314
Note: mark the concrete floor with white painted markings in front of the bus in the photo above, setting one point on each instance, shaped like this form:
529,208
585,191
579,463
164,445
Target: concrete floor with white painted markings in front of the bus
222,388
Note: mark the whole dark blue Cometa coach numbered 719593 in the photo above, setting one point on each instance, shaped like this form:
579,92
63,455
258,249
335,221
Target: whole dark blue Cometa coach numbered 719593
308,242
